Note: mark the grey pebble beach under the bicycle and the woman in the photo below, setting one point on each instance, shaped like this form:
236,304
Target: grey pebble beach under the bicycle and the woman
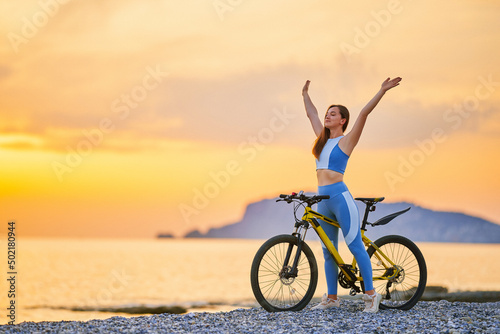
425,317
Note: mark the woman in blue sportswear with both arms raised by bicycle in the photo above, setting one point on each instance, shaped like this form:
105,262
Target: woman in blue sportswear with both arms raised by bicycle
332,150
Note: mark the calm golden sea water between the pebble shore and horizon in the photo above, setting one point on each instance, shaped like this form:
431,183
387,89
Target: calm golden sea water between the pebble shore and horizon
56,275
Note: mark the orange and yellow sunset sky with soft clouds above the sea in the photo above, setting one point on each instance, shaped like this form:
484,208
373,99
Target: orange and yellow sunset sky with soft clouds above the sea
125,118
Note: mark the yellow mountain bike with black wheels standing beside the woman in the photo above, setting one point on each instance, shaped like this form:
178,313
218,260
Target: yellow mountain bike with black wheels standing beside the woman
284,272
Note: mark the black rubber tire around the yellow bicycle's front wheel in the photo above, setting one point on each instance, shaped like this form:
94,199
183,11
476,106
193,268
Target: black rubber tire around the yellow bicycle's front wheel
266,302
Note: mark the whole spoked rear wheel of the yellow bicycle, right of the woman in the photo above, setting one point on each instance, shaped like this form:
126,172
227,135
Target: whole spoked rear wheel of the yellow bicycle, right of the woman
409,286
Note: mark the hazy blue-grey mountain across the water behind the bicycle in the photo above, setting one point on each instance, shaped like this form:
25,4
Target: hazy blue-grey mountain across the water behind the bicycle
268,218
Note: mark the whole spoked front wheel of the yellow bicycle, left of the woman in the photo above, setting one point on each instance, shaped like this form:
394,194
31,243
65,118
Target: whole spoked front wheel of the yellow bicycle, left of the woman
274,293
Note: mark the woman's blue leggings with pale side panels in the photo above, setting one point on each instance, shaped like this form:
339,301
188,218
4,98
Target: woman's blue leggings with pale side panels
342,208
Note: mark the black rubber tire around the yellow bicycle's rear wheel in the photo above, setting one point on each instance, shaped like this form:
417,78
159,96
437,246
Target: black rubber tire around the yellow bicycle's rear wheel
422,277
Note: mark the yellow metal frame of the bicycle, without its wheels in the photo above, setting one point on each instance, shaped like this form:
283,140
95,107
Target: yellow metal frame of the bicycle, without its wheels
311,216
